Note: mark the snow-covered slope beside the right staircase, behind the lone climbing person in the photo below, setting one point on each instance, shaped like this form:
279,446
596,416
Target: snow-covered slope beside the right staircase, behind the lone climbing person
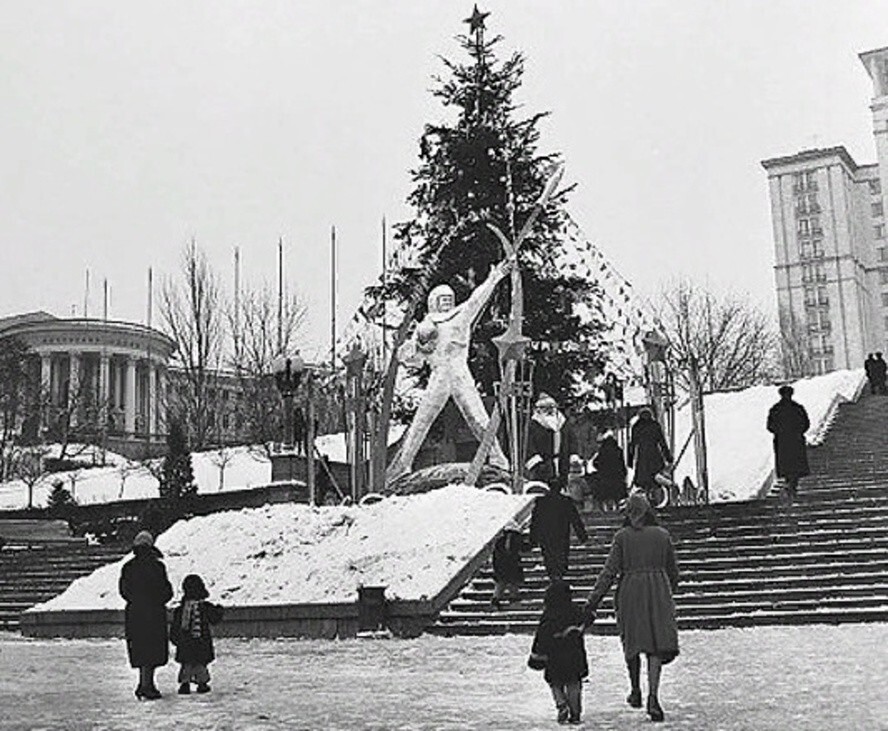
740,455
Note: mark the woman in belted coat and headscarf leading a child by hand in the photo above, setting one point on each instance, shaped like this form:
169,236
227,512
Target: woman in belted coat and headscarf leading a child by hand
642,558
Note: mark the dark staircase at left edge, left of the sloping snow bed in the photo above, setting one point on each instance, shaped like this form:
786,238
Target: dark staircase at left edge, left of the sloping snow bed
29,576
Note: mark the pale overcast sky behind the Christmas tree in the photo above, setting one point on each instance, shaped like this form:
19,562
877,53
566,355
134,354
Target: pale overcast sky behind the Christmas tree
127,128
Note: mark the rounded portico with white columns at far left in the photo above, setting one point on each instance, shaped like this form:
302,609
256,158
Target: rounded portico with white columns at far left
100,374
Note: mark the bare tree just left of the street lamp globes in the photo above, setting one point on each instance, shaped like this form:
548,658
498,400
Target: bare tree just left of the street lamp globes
258,337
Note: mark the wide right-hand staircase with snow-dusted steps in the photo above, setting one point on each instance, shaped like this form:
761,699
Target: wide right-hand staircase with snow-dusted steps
824,559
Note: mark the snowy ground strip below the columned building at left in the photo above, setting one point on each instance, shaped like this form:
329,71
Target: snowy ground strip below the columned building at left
123,479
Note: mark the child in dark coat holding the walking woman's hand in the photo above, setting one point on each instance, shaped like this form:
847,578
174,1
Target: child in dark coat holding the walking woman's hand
558,649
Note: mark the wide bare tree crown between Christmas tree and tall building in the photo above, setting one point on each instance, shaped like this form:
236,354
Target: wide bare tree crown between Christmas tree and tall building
731,340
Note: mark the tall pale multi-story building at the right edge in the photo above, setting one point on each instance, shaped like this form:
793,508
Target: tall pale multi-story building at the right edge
831,250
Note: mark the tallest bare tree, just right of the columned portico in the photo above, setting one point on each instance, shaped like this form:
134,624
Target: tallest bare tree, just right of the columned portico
191,309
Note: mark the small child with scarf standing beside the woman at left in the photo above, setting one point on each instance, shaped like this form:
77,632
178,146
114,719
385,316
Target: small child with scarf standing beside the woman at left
190,633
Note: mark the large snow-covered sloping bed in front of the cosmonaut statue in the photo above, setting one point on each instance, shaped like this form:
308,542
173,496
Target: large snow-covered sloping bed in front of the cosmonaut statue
282,554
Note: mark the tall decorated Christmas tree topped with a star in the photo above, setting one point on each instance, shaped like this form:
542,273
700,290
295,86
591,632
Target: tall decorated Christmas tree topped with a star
484,167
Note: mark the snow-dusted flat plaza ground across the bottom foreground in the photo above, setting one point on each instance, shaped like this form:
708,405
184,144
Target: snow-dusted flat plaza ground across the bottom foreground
814,677
